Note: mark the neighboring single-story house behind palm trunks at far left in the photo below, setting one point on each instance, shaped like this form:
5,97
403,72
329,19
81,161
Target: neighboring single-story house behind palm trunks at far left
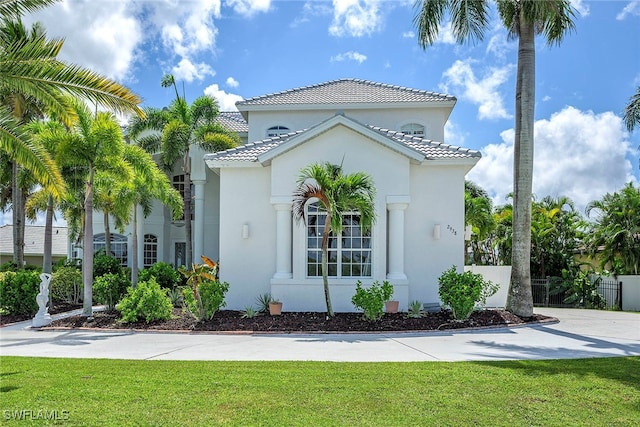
33,244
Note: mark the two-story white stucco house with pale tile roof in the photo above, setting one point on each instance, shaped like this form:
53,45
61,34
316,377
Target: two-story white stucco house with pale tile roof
243,196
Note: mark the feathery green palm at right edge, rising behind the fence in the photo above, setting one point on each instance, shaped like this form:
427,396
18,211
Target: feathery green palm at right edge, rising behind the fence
614,236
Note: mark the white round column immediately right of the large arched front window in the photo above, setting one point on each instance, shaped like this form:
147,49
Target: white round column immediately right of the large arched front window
396,206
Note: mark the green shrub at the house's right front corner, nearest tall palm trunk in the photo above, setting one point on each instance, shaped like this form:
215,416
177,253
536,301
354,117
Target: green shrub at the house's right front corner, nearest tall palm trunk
462,291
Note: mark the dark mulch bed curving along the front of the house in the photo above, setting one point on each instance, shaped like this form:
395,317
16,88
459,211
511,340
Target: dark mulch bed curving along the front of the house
288,322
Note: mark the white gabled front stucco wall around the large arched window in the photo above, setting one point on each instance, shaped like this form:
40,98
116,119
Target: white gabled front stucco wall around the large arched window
433,194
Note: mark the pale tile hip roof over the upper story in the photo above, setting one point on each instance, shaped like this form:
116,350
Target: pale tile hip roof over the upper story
346,91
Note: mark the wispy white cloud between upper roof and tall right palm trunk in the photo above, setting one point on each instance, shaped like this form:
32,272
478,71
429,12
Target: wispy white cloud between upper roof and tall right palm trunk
460,77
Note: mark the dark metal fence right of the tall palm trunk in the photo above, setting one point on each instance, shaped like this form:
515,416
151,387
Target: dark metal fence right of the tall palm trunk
550,292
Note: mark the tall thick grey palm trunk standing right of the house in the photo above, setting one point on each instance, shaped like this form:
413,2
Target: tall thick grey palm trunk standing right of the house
520,299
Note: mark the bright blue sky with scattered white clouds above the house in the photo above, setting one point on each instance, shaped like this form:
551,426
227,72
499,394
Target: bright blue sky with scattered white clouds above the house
236,49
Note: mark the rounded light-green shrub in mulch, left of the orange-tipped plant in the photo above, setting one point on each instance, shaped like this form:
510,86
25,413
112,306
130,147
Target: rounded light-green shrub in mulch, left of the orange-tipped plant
146,302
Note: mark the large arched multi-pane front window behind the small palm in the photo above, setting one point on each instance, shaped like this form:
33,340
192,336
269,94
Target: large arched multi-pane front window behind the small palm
349,255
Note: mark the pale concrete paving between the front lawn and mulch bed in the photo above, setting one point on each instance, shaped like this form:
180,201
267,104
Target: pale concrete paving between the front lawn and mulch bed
578,334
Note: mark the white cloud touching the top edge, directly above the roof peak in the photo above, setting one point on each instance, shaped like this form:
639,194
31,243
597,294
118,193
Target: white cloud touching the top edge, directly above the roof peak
355,18
